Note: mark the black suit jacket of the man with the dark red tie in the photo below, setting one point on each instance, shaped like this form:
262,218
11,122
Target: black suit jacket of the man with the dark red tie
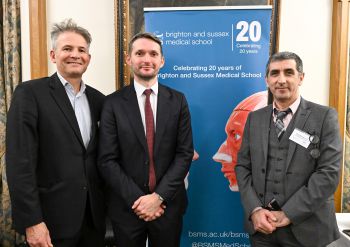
123,155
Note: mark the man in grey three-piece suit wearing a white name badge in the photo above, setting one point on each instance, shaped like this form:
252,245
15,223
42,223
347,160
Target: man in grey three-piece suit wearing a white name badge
288,164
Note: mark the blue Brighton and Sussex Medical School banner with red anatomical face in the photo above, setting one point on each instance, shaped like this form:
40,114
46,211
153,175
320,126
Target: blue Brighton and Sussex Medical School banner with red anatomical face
217,58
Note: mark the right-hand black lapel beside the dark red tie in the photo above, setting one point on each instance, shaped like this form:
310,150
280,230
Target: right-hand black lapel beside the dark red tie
163,113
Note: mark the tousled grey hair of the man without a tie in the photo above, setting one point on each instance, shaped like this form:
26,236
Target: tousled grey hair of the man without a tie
68,26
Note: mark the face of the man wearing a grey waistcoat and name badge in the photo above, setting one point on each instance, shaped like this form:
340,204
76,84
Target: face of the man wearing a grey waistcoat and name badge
284,80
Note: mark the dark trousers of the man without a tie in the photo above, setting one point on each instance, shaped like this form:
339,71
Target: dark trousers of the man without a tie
88,236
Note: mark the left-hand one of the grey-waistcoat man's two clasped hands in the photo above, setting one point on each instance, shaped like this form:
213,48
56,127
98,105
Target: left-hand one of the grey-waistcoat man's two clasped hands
263,221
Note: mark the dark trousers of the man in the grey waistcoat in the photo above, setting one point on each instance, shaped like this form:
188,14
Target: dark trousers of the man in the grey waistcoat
282,237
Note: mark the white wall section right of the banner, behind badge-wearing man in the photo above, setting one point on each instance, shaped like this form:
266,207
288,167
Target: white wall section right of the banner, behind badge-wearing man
306,29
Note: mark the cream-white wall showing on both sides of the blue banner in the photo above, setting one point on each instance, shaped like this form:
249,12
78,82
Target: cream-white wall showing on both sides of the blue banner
305,29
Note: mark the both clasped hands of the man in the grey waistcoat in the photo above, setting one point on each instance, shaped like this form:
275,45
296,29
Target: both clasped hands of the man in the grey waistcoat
266,221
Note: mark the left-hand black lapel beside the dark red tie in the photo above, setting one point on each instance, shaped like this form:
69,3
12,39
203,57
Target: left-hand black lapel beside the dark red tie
133,114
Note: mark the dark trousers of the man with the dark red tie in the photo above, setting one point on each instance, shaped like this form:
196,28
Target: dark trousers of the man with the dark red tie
160,232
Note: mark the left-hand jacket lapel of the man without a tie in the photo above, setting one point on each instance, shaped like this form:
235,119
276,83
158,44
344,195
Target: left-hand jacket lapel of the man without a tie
60,96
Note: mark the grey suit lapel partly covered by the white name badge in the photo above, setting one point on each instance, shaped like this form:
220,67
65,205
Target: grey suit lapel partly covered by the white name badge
301,116
